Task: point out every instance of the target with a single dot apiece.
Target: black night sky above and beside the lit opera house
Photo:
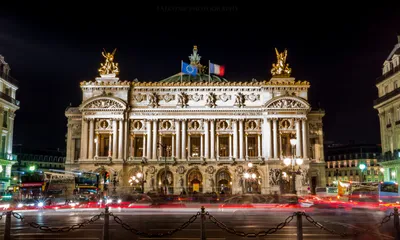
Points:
(53, 46)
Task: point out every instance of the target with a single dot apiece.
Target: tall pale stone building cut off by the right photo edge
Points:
(388, 106)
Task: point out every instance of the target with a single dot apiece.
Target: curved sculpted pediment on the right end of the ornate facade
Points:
(287, 103)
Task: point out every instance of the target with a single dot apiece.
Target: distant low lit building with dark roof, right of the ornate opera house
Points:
(343, 163)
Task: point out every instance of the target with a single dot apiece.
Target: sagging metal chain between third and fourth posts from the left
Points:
(243, 234)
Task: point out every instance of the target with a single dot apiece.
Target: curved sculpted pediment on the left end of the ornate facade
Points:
(104, 103)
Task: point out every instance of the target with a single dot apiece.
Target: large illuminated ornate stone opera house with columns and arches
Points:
(196, 132)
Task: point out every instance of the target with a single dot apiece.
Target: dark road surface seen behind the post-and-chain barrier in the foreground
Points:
(163, 220)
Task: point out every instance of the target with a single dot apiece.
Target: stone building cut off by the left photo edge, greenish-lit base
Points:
(8, 106)
